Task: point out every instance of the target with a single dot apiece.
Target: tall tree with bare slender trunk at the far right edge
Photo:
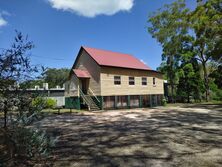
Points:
(205, 24)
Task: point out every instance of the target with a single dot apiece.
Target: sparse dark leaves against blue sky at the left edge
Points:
(15, 63)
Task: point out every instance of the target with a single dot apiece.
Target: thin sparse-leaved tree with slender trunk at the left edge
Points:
(15, 67)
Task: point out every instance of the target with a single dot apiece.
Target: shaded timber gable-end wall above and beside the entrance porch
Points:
(85, 62)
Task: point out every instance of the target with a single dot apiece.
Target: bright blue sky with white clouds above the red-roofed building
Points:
(58, 28)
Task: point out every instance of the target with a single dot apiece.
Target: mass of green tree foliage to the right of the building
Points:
(189, 38)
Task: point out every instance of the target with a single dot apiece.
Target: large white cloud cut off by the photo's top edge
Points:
(92, 8)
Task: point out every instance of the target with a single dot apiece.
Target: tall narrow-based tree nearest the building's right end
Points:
(169, 27)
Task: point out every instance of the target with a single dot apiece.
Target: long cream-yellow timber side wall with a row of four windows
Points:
(108, 88)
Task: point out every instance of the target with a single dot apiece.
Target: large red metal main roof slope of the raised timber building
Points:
(114, 59)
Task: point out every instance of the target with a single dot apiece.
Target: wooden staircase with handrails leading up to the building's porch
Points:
(88, 100)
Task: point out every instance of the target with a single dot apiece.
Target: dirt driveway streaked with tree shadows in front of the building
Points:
(165, 136)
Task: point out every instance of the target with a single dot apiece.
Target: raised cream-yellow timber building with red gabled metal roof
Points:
(101, 79)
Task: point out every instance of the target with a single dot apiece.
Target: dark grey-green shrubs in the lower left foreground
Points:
(21, 141)
